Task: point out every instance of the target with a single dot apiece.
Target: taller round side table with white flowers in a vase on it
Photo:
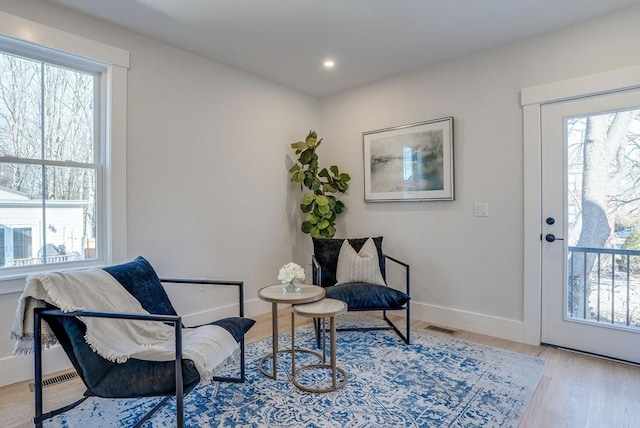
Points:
(274, 294)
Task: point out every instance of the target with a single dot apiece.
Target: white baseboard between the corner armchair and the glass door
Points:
(469, 321)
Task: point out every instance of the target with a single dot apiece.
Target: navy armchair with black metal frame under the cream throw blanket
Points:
(134, 378)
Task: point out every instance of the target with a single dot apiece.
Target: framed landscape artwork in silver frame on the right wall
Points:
(409, 163)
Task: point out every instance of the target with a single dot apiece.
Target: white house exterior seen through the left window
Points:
(22, 223)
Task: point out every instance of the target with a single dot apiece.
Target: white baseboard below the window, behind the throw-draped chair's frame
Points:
(18, 368)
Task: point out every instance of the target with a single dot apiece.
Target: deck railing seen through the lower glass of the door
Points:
(611, 292)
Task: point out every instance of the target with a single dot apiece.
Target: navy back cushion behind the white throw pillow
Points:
(327, 250)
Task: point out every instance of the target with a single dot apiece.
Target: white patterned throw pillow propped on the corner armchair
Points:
(359, 267)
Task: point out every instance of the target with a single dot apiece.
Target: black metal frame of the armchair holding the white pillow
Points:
(317, 280)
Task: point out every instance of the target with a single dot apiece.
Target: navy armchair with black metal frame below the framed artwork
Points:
(360, 296)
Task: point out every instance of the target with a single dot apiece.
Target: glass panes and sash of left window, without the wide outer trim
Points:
(50, 157)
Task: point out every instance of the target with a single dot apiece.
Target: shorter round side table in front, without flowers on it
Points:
(325, 308)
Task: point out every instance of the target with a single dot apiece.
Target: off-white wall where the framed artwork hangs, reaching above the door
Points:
(467, 272)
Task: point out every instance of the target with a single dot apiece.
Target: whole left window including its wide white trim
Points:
(62, 149)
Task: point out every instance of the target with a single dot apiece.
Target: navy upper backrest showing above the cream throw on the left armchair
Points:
(139, 278)
